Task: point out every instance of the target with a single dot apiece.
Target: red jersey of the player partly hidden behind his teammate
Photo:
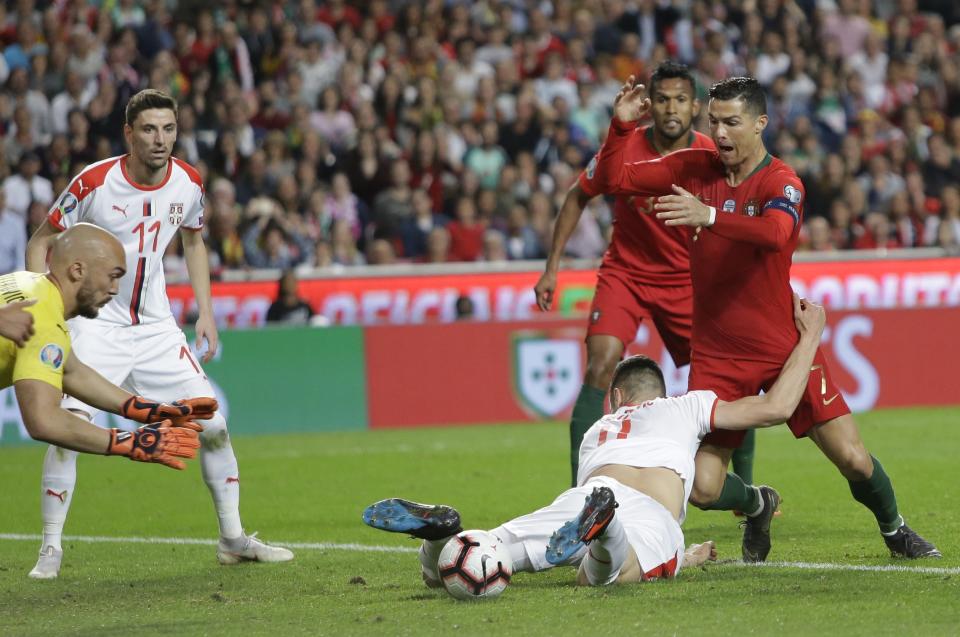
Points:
(641, 245)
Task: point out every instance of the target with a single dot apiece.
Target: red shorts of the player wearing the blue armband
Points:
(731, 379)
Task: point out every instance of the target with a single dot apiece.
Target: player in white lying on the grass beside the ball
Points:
(635, 474)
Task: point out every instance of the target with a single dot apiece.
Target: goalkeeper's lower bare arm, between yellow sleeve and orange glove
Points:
(46, 421)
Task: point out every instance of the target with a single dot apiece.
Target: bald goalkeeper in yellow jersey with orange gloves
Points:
(86, 264)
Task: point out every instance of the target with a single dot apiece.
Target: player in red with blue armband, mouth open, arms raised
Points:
(744, 209)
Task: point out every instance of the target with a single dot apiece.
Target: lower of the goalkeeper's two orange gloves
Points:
(162, 443)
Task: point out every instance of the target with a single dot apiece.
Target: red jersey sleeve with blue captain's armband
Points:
(782, 194)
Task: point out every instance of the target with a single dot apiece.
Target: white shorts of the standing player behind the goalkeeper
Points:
(152, 360)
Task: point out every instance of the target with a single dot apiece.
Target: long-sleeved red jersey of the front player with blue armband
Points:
(740, 266)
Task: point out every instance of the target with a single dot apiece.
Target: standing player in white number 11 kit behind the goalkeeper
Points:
(145, 198)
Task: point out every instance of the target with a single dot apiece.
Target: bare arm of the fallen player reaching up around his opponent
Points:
(779, 403)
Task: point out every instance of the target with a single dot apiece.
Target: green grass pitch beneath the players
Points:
(312, 488)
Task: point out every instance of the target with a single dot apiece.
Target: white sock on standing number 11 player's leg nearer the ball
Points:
(219, 467)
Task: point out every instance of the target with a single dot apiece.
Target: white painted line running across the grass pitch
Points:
(374, 548)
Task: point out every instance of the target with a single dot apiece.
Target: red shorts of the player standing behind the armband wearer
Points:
(620, 304)
